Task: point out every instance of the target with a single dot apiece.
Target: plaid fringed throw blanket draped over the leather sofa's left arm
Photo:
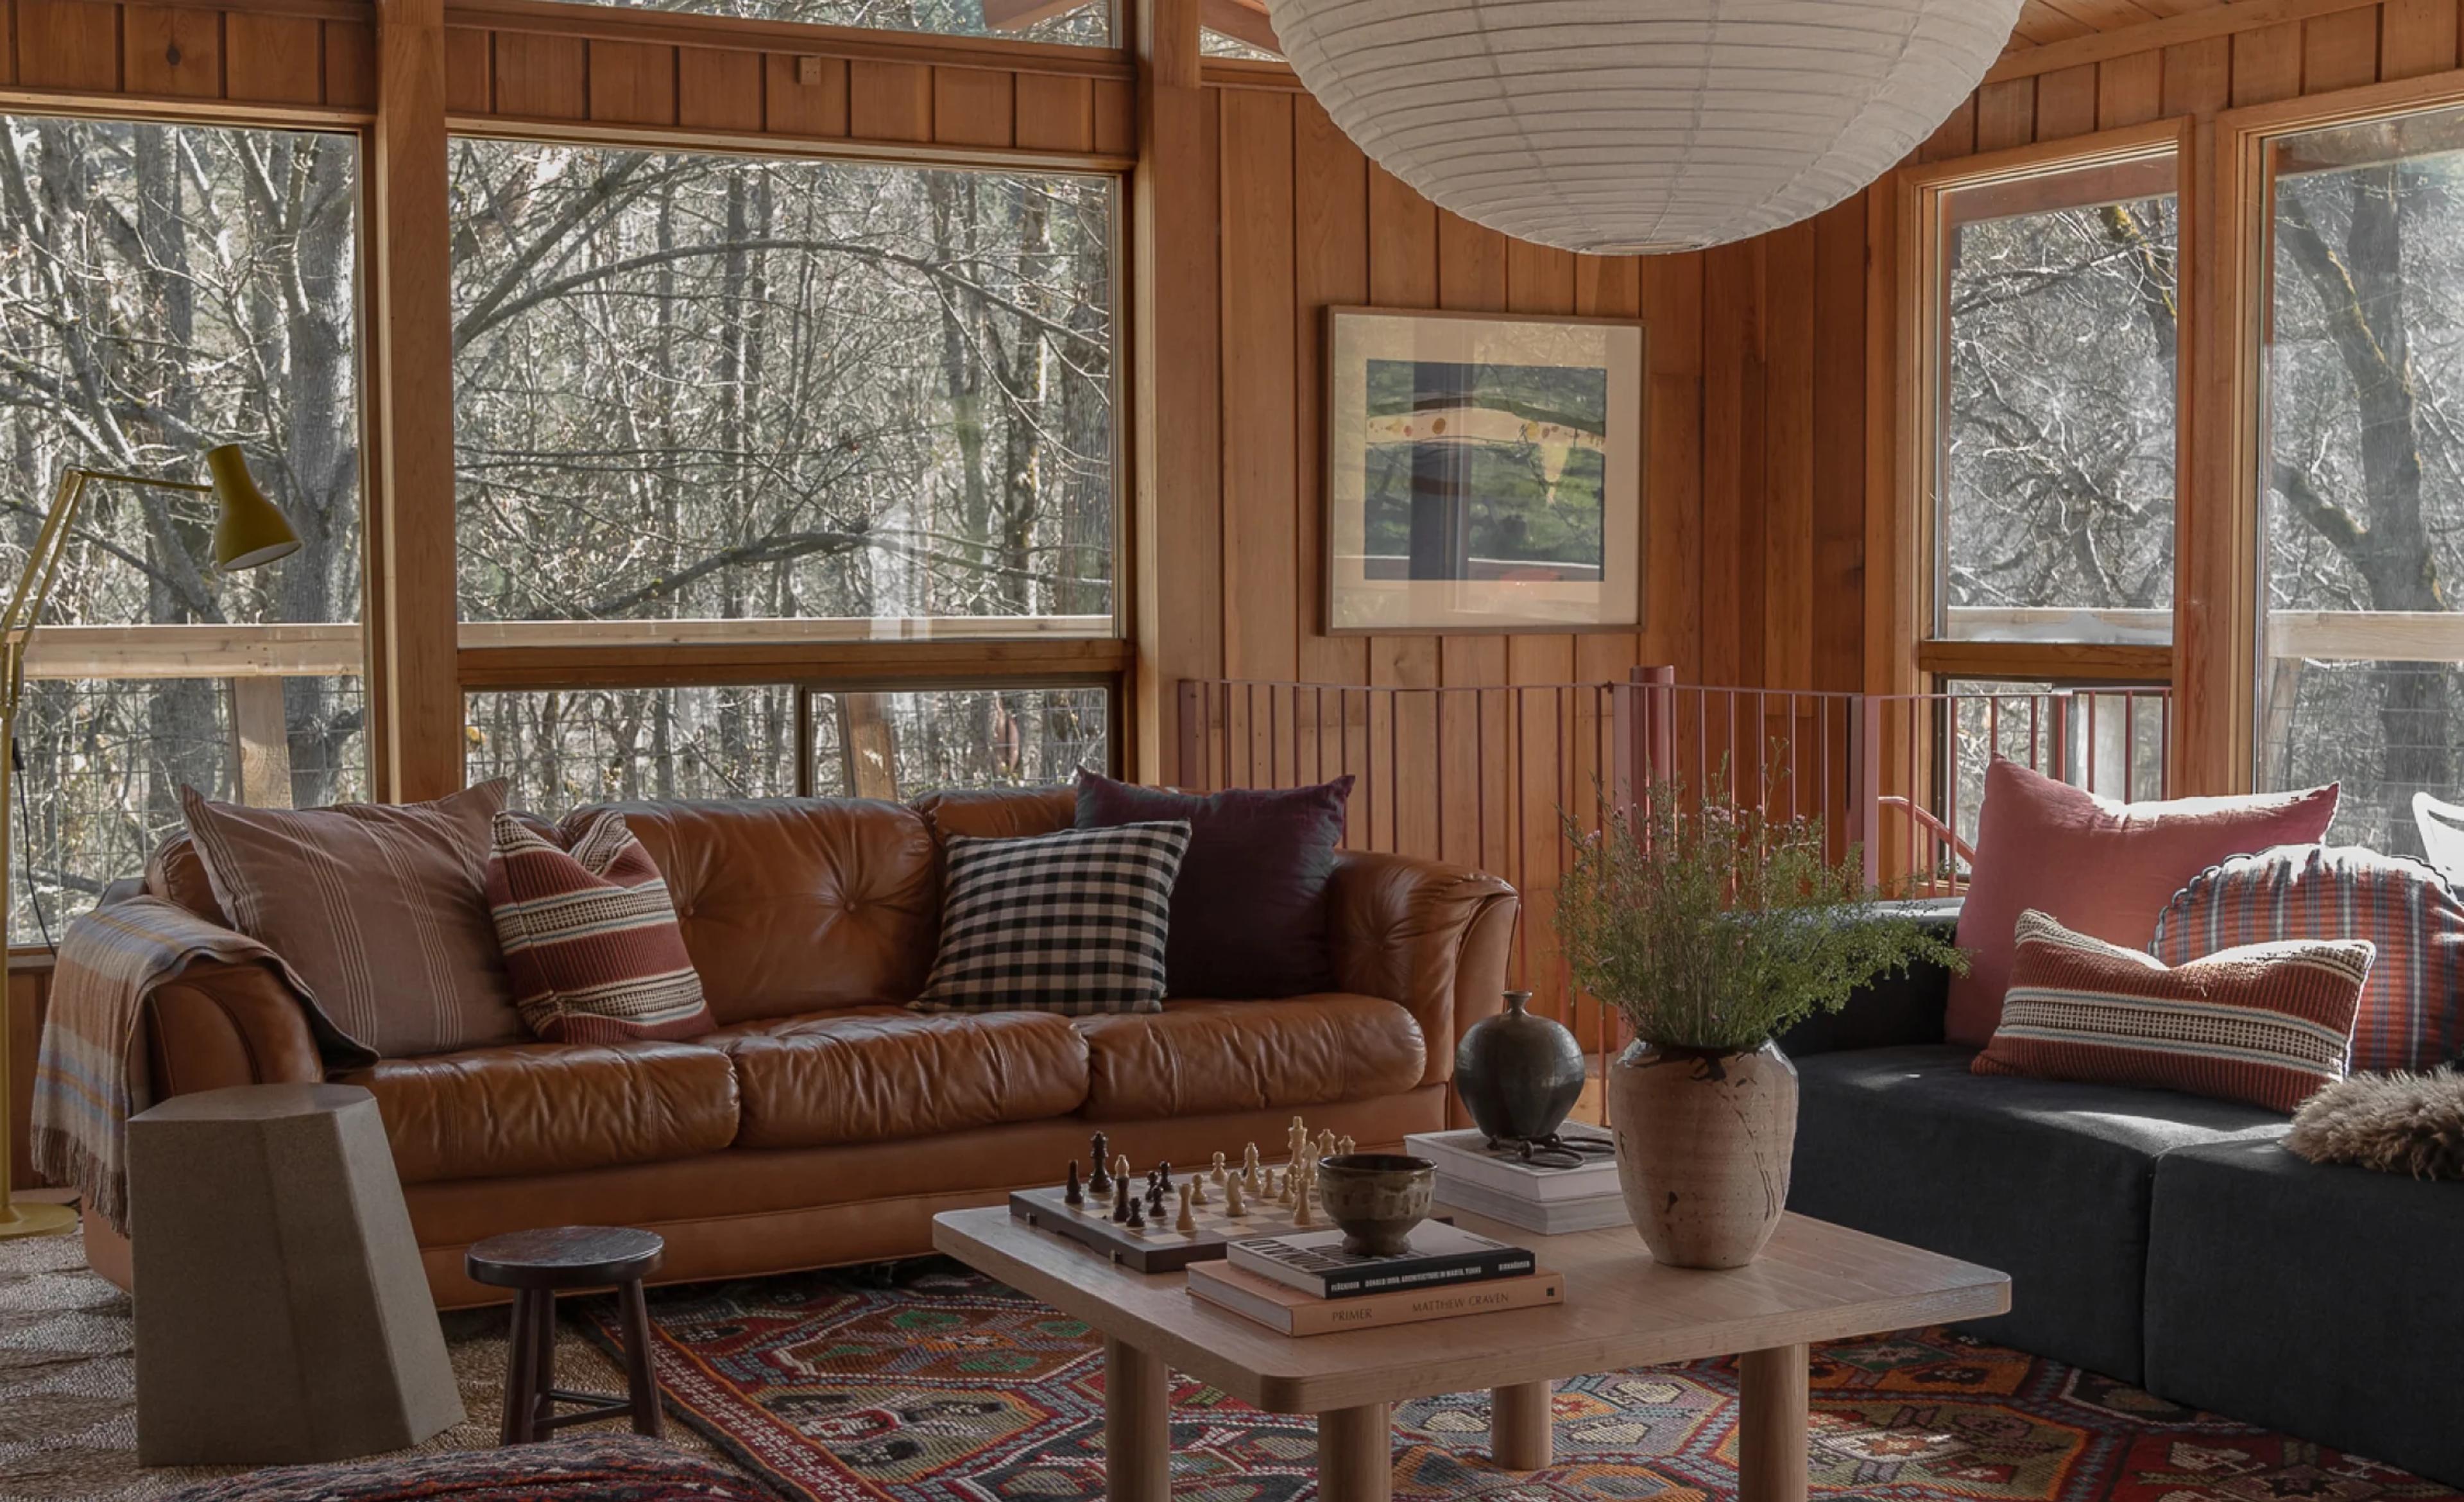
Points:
(85, 1086)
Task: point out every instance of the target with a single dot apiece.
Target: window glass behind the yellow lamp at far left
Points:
(166, 290)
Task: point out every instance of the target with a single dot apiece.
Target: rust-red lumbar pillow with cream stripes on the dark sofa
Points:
(2268, 1025)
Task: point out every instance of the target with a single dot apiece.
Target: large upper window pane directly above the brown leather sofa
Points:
(711, 388)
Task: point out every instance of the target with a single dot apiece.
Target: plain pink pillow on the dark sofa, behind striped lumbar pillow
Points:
(2098, 867)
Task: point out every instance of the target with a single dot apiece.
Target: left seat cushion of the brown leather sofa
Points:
(543, 1109)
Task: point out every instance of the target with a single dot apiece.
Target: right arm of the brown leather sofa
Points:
(1428, 936)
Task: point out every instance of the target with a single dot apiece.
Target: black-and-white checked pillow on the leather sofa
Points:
(1056, 924)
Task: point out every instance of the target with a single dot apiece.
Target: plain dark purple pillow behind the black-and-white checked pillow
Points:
(1250, 904)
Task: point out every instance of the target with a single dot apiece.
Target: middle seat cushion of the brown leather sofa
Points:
(888, 1077)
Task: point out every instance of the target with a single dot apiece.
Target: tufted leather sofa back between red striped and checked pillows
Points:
(800, 904)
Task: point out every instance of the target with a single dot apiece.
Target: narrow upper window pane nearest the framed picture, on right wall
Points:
(2056, 406)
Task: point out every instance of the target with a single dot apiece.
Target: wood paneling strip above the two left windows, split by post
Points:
(533, 65)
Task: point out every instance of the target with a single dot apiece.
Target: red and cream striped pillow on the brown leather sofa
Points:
(590, 936)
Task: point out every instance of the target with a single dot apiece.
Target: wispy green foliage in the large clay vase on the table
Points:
(1711, 924)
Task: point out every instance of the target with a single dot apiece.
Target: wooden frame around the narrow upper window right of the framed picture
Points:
(1926, 226)
